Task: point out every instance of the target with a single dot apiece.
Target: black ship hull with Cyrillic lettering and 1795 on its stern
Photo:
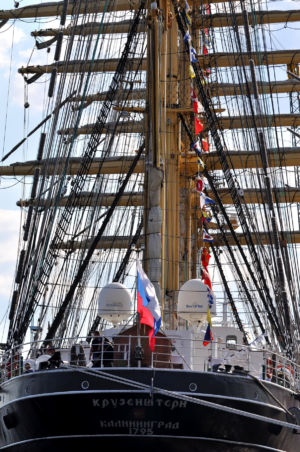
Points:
(78, 409)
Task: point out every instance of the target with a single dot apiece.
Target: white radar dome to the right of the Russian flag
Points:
(193, 300)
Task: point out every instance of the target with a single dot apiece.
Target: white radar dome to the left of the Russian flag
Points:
(114, 303)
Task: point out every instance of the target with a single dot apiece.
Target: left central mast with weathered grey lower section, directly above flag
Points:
(153, 170)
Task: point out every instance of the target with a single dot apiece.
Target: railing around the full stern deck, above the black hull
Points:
(170, 352)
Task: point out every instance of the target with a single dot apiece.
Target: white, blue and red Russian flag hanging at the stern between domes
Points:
(147, 304)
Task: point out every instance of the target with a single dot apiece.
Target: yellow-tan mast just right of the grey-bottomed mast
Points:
(171, 160)
